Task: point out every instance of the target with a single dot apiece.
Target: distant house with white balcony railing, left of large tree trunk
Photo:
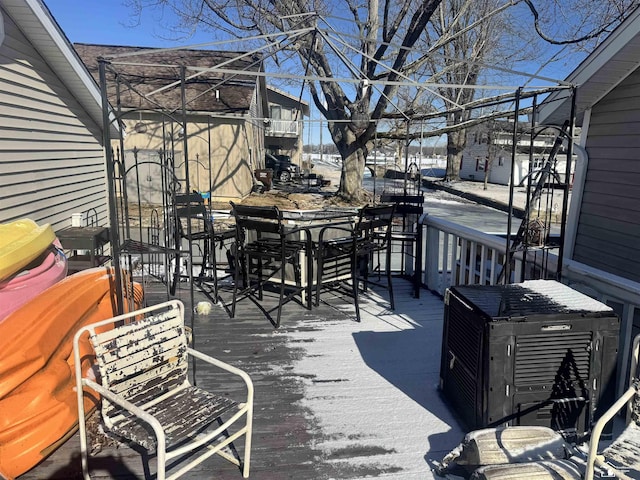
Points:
(284, 132)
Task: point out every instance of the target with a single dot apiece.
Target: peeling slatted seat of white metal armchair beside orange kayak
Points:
(182, 415)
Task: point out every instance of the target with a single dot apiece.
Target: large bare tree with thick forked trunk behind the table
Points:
(374, 46)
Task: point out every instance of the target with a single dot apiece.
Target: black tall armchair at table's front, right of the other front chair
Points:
(347, 253)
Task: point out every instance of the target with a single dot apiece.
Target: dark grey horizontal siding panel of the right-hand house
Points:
(610, 214)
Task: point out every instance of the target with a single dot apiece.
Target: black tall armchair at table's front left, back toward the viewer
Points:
(265, 246)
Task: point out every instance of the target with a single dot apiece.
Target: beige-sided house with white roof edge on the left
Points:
(51, 133)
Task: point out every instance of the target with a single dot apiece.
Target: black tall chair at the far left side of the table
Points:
(194, 224)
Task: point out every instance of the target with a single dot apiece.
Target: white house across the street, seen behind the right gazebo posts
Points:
(489, 152)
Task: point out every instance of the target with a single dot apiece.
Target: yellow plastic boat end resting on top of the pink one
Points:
(21, 242)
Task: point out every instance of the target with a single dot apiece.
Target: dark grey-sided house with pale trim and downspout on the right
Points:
(603, 230)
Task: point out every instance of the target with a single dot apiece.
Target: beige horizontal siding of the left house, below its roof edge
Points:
(51, 158)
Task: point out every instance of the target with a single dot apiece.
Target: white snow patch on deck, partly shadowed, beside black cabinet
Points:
(375, 400)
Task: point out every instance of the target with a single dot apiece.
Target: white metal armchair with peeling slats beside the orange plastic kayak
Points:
(147, 399)
